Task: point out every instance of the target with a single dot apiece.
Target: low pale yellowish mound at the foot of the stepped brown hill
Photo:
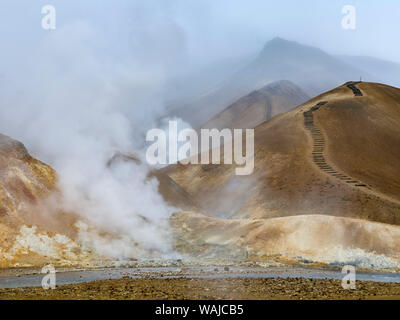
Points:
(314, 240)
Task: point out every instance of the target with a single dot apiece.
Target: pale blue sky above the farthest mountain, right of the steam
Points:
(227, 26)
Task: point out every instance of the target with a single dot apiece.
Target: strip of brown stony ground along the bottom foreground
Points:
(233, 288)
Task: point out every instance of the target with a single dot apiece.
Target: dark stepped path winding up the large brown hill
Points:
(319, 142)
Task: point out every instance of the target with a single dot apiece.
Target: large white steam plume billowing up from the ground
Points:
(76, 105)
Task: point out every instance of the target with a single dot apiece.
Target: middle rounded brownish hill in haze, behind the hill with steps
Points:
(259, 106)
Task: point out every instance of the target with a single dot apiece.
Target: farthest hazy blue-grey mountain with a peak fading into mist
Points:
(312, 69)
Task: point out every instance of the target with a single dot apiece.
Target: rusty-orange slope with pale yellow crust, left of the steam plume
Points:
(28, 234)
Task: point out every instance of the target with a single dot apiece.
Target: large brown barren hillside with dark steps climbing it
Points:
(300, 171)
